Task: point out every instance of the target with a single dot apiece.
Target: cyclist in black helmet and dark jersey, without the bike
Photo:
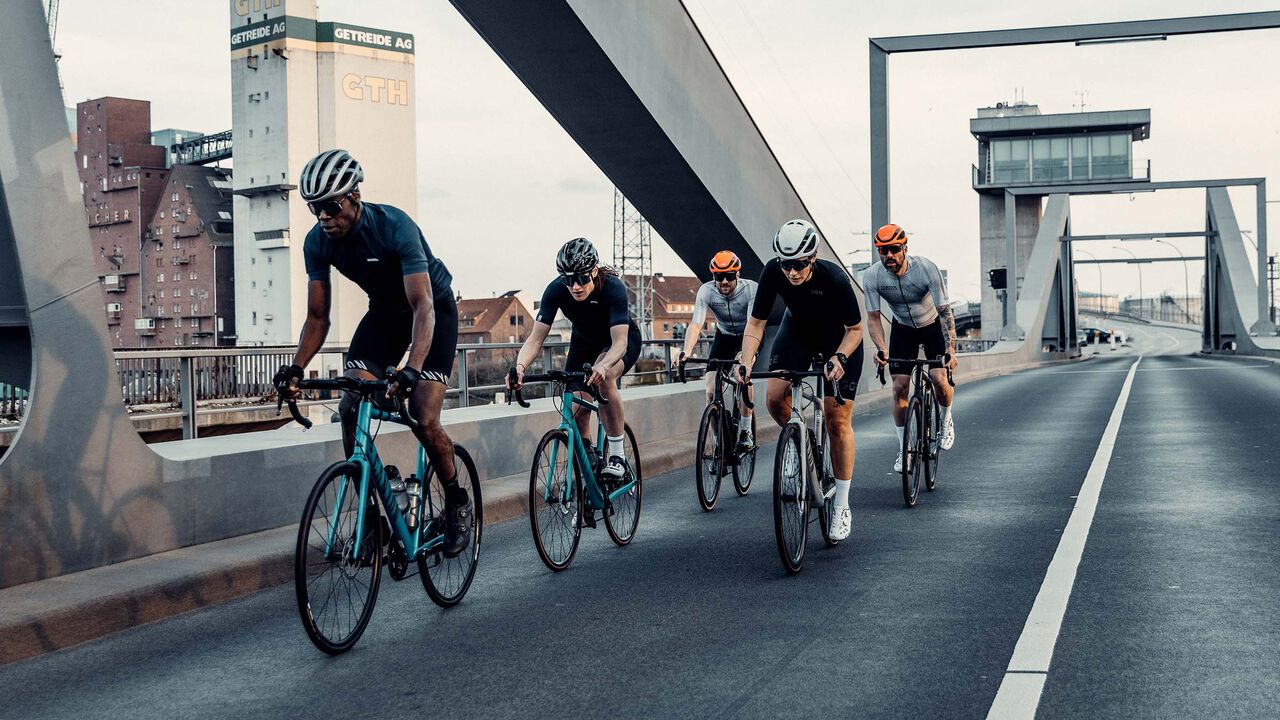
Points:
(605, 336)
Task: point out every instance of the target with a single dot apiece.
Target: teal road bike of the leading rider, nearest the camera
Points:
(362, 516)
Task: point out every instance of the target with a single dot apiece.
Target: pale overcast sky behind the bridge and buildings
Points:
(496, 168)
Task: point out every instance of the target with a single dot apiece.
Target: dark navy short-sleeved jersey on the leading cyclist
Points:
(382, 248)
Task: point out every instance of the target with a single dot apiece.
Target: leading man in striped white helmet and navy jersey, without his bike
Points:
(412, 308)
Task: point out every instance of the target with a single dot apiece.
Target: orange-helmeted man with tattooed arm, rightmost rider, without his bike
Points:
(912, 288)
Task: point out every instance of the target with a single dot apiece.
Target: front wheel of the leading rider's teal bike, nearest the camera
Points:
(336, 584)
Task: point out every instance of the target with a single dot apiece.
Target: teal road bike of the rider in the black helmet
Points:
(566, 490)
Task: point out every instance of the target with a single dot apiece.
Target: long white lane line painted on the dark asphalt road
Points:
(1020, 692)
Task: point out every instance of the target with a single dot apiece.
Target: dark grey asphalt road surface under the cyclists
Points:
(917, 616)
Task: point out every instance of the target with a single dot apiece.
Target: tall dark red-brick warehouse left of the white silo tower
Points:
(130, 202)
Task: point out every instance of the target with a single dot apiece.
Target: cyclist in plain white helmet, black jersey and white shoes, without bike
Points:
(822, 320)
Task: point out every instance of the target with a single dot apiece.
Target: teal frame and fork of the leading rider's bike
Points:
(372, 470)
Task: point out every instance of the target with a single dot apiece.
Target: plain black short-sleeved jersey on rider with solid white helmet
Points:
(821, 306)
